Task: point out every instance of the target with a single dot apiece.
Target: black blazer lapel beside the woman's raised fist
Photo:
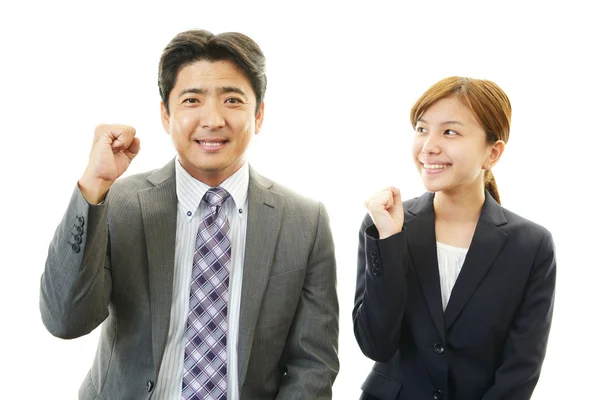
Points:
(420, 231)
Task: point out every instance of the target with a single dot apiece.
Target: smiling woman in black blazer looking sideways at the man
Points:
(454, 293)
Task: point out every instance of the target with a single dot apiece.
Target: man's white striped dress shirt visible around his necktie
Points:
(190, 211)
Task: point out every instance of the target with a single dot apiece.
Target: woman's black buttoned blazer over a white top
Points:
(489, 343)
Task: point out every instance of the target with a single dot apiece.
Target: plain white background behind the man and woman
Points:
(341, 80)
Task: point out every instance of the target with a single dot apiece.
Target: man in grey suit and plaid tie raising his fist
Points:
(212, 281)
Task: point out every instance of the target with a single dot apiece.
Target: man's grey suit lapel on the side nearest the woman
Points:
(265, 209)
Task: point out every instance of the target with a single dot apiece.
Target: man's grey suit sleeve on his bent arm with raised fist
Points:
(76, 282)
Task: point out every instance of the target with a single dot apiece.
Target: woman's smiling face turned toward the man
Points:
(450, 148)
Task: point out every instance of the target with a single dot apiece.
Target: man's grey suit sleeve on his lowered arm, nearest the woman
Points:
(312, 342)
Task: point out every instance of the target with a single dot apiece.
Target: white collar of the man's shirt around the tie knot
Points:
(190, 191)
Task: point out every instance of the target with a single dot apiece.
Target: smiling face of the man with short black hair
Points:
(211, 119)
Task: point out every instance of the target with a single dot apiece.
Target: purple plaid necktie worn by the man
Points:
(205, 362)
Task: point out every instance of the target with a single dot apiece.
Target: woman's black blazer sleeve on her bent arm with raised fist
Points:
(380, 297)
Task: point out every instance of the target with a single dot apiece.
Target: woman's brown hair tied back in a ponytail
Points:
(487, 101)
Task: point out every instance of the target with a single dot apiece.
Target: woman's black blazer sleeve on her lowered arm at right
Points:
(525, 346)
